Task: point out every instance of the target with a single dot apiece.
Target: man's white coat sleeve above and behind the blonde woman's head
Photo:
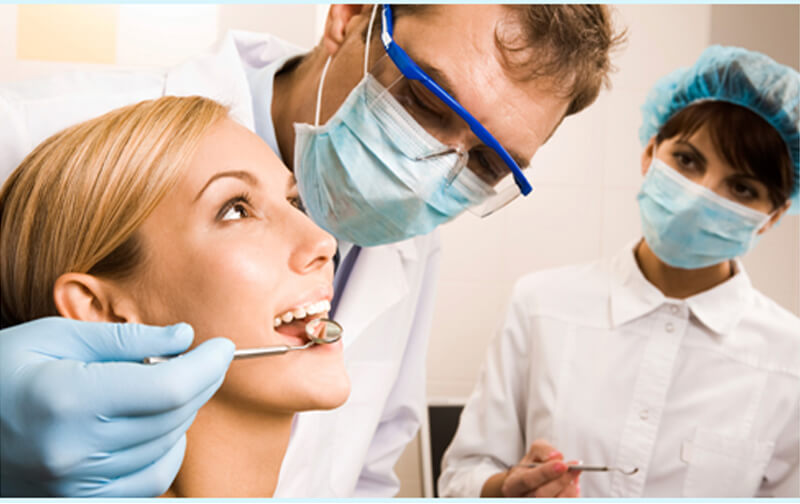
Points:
(33, 110)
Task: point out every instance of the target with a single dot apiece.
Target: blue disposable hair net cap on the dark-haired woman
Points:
(732, 74)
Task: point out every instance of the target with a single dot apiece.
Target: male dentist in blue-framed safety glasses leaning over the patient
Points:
(393, 125)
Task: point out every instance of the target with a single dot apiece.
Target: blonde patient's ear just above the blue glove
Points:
(85, 297)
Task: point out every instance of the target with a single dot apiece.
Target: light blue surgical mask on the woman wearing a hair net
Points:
(689, 226)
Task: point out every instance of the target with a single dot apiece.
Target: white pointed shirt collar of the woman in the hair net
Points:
(632, 295)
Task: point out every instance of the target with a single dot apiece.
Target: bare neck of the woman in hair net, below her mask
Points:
(679, 283)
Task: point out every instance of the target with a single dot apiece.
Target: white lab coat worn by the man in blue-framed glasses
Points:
(385, 308)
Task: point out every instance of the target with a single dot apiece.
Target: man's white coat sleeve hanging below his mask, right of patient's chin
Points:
(405, 407)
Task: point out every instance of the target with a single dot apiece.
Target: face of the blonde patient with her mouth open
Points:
(228, 251)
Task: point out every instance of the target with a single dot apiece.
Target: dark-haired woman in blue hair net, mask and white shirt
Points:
(665, 358)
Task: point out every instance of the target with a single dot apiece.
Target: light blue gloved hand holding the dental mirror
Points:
(78, 421)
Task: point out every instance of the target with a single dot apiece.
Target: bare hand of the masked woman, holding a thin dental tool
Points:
(549, 479)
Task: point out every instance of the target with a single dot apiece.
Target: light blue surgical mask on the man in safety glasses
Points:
(369, 176)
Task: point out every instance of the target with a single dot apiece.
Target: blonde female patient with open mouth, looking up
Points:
(169, 211)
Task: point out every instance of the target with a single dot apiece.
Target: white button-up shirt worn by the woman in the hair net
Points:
(701, 394)
